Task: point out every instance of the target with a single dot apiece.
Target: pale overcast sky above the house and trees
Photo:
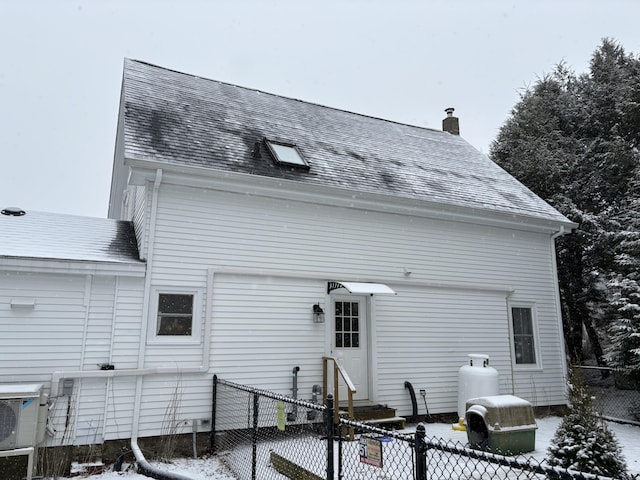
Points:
(61, 68)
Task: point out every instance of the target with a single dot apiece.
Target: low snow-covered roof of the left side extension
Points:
(41, 235)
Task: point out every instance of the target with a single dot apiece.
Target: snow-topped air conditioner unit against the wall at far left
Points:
(22, 415)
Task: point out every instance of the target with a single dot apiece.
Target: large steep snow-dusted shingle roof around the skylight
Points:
(182, 119)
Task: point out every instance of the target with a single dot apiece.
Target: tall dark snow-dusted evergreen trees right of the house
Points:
(574, 140)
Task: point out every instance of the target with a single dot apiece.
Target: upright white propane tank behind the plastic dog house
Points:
(477, 379)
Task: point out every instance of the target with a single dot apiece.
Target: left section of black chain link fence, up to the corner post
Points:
(263, 435)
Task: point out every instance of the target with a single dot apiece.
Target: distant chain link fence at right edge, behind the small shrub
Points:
(615, 397)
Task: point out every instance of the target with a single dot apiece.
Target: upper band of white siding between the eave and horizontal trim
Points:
(243, 231)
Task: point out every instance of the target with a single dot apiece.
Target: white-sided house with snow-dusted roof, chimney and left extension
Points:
(234, 214)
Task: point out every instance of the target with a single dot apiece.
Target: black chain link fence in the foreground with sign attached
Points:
(264, 435)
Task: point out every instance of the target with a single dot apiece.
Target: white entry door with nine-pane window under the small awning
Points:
(350, 342)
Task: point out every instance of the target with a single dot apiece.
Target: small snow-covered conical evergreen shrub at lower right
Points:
(583, 441)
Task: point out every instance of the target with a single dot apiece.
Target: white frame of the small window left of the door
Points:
(196, 327)
